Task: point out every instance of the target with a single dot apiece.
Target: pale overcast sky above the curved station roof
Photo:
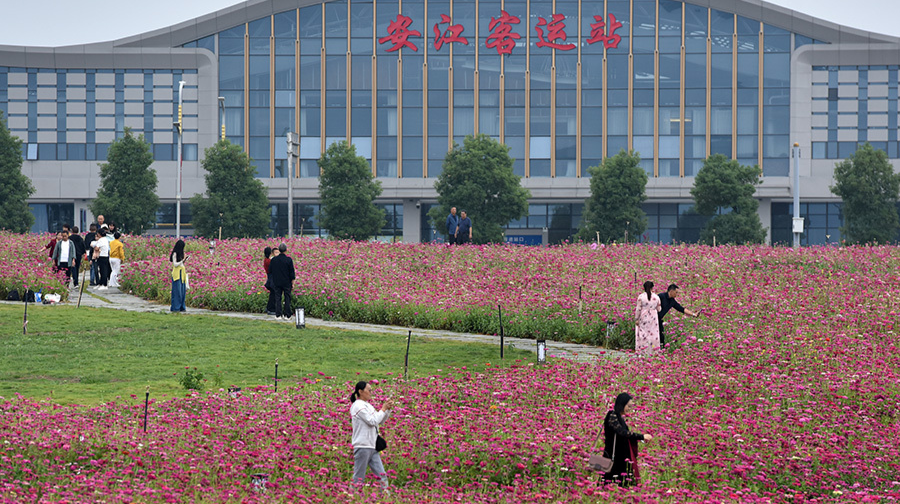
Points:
(68, 22)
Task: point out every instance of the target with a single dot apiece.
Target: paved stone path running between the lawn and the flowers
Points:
(116, 299)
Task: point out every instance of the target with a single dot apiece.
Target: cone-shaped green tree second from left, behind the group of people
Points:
(127, 194)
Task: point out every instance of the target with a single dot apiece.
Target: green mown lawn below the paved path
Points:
(88, 356)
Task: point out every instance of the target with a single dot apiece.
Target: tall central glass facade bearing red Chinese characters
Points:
(562, 83)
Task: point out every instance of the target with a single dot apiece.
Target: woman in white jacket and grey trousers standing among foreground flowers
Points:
(365, 432)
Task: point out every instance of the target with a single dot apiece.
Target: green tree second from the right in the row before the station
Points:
(725, 184)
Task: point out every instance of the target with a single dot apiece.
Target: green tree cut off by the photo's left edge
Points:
(15, 187)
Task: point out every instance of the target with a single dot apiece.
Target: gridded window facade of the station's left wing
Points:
(73, 115)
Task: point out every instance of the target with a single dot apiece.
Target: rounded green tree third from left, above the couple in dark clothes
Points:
(235, 198)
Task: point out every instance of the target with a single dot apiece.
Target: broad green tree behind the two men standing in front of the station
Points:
(478, 177)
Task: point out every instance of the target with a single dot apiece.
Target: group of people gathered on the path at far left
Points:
(102, 246)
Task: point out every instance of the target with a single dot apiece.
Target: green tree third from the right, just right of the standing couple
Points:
(618, 187)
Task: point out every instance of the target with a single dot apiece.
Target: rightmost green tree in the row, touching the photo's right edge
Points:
(867, 184)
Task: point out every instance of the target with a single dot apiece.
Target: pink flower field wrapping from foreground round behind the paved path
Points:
(786, 390)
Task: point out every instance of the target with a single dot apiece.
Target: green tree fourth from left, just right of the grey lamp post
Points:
(348, 191)
